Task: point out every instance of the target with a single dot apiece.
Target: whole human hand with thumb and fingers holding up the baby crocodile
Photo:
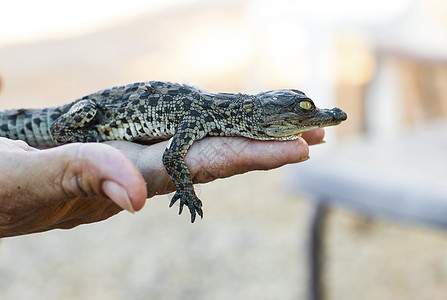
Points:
(74, 184)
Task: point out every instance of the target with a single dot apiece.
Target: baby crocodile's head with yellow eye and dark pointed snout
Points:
(288, 113)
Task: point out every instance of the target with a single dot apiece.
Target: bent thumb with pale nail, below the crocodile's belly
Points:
(82, 170)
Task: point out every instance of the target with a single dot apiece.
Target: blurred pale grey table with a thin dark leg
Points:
(402, 179)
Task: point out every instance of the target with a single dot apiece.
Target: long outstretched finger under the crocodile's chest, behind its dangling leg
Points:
(212, 158)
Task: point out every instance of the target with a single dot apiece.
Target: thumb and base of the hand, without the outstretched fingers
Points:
(64, 186)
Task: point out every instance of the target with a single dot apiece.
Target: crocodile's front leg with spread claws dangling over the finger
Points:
(173, 160)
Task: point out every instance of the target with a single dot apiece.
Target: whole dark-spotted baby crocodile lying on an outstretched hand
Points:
(152, 111)
